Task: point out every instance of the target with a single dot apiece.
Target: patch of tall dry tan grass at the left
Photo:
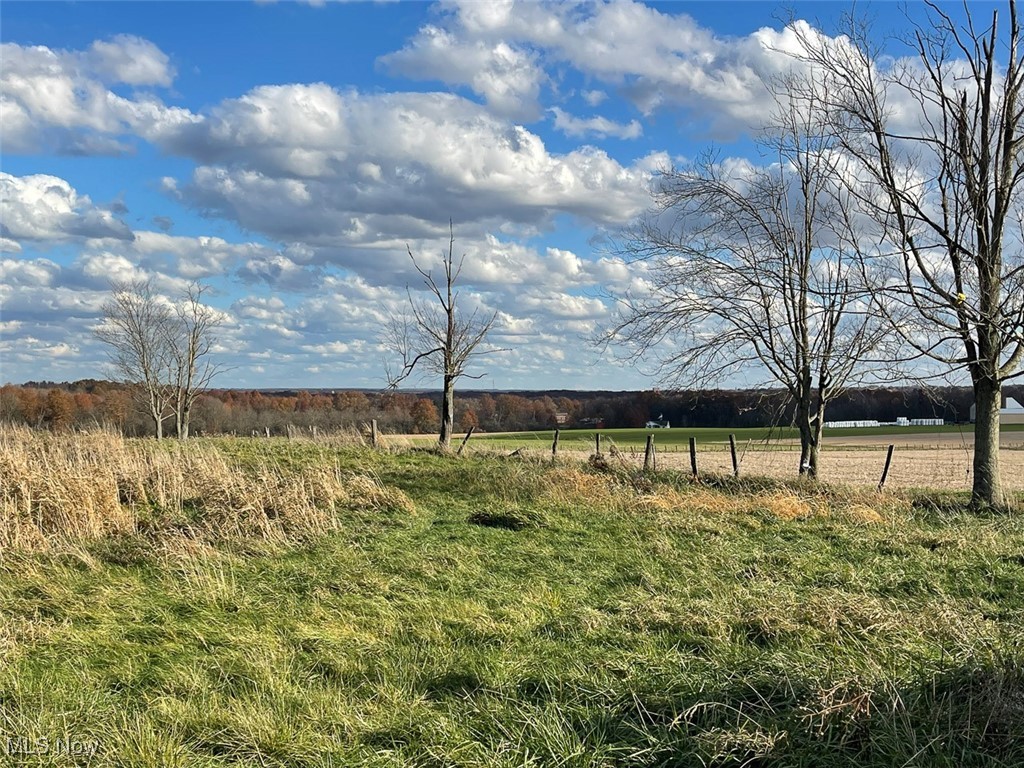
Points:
(77, 488)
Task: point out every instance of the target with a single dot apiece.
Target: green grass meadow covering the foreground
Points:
(533, 617)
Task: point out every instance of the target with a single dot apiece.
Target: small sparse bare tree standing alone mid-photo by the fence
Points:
(437, 337)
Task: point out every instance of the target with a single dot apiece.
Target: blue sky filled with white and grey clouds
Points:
(288, 155)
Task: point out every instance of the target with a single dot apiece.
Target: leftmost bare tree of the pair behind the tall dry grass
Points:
(139, 330)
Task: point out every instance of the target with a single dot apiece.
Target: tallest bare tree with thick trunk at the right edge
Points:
(936, 146)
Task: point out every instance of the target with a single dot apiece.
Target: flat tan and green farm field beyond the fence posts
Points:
(924, 457)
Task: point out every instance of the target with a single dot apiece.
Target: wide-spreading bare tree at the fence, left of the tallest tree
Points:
(750, 268)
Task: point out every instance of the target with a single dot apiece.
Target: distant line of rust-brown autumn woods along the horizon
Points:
(91, 403)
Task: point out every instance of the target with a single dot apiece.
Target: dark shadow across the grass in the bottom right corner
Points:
(964, 716)
